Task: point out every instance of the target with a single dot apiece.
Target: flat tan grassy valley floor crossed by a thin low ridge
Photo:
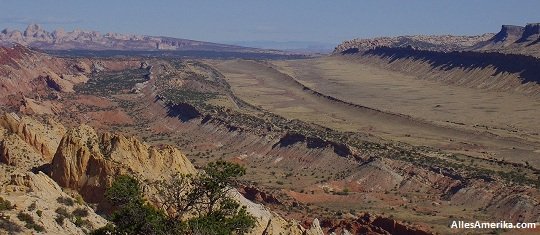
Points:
(394, 106)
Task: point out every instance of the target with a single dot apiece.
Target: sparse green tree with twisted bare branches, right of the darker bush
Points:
(205, 199)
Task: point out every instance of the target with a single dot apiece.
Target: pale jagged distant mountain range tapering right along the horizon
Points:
(35, 36)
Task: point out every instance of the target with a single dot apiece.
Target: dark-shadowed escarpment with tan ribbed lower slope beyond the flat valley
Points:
(474, 69)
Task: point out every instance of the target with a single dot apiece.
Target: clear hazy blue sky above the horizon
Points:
(287, 20)
